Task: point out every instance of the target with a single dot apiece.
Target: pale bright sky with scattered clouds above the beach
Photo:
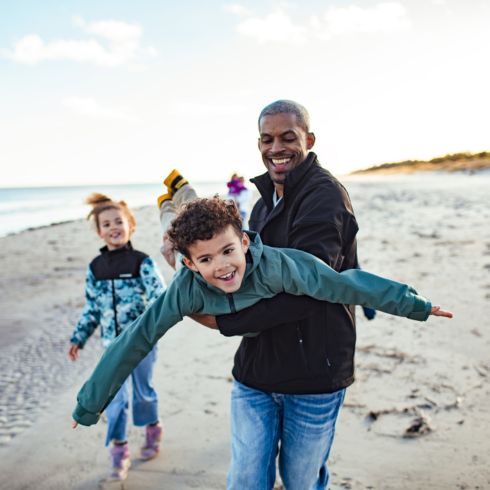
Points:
(123, 92)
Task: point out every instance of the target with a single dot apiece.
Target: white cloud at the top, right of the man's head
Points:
(383, 17)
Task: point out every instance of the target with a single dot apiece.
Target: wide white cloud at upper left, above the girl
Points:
(121, 46)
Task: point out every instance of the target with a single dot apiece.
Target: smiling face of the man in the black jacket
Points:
(283, 144)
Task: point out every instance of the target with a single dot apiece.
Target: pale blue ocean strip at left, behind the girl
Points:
(32, 207)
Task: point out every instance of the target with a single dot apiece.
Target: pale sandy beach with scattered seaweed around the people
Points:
(416, 418)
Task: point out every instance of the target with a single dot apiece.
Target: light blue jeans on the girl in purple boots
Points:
(145, 401)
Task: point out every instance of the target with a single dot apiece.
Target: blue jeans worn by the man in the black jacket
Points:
(298, 428)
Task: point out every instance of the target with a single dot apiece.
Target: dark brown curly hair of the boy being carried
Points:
(202, 219)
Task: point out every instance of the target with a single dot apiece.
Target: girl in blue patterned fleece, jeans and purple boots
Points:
(120, 283)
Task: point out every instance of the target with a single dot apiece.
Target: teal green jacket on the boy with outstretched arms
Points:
(269, 271)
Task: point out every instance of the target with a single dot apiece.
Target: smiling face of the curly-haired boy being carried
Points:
(221, 260)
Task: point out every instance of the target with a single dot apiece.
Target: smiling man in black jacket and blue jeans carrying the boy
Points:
(290, 380)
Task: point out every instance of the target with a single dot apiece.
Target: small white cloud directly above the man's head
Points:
(275, 27)
